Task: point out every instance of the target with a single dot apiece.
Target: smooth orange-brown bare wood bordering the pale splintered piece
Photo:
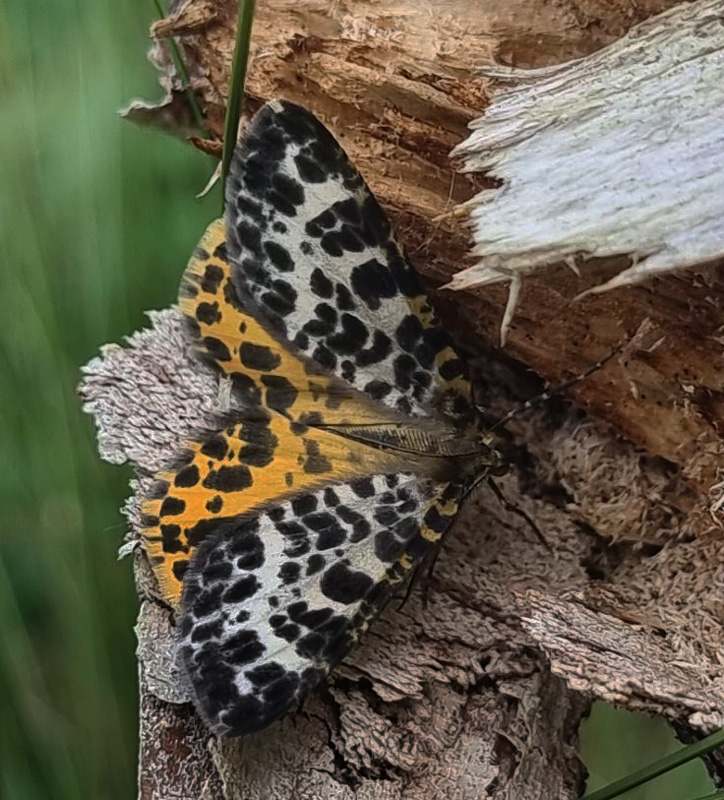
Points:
(397, 85)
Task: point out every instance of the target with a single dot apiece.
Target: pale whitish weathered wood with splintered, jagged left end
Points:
(620, 153)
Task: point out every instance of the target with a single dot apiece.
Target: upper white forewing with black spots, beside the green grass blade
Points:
(313, 256)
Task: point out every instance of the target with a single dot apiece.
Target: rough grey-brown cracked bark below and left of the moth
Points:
(449, 691)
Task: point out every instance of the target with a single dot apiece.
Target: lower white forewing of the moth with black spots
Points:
(273, 600)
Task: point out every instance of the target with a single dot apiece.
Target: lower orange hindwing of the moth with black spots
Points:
(254, 462)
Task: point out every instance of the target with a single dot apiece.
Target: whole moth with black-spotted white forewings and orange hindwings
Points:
(279, 536)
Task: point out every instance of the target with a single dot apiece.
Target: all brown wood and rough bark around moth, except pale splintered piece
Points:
(476, 686)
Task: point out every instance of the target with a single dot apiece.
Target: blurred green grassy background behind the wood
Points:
(97, 219)
